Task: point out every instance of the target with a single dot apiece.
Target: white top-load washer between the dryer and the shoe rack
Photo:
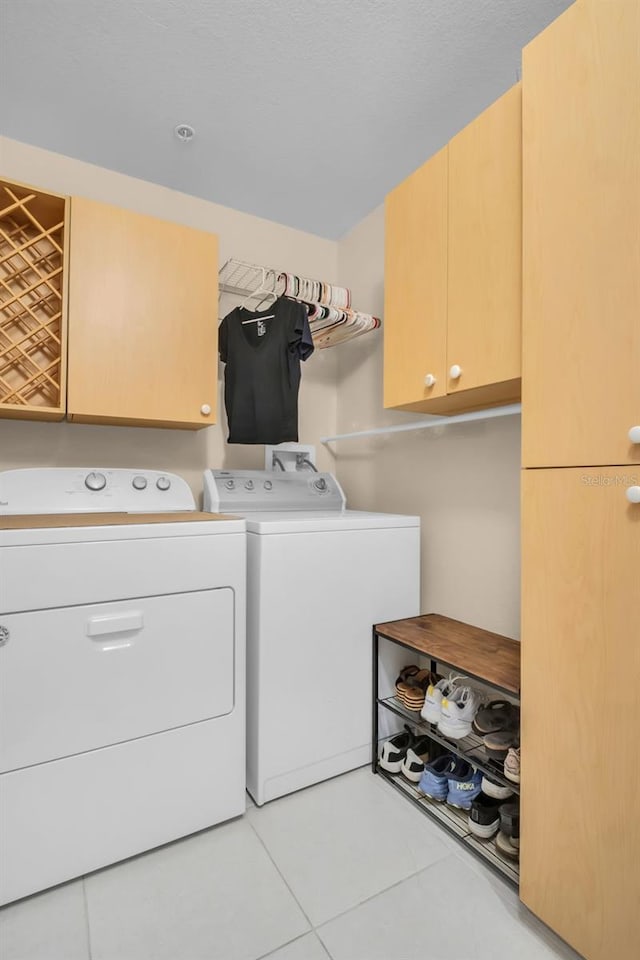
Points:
(319, 576)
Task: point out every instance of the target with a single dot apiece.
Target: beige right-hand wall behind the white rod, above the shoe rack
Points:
(463, 480)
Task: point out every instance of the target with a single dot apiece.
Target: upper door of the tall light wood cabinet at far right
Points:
(581, 306)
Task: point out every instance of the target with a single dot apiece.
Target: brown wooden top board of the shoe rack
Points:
(478, 653)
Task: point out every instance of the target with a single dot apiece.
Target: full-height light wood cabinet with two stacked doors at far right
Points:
(580, 840)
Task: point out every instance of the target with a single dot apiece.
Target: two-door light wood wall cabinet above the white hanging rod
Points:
(453, 233)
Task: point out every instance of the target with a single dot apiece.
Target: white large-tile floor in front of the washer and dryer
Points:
(344, 870)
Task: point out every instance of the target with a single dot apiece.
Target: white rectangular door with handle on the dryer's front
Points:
(78, 678)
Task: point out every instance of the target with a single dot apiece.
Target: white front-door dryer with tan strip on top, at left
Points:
(122, 662)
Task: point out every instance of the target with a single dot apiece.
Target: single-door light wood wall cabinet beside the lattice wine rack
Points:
(142, 319)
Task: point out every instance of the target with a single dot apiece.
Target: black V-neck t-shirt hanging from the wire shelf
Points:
(262, 373)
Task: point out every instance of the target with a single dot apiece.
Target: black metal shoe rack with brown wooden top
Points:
(487, 657)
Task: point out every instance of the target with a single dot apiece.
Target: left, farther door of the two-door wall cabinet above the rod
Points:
(415, 285)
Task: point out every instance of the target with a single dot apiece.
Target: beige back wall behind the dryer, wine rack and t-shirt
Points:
(249, 238)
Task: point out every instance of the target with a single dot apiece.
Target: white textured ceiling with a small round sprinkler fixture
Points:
(306, 111)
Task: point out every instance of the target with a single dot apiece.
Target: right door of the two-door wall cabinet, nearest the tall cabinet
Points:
(485, 248)
